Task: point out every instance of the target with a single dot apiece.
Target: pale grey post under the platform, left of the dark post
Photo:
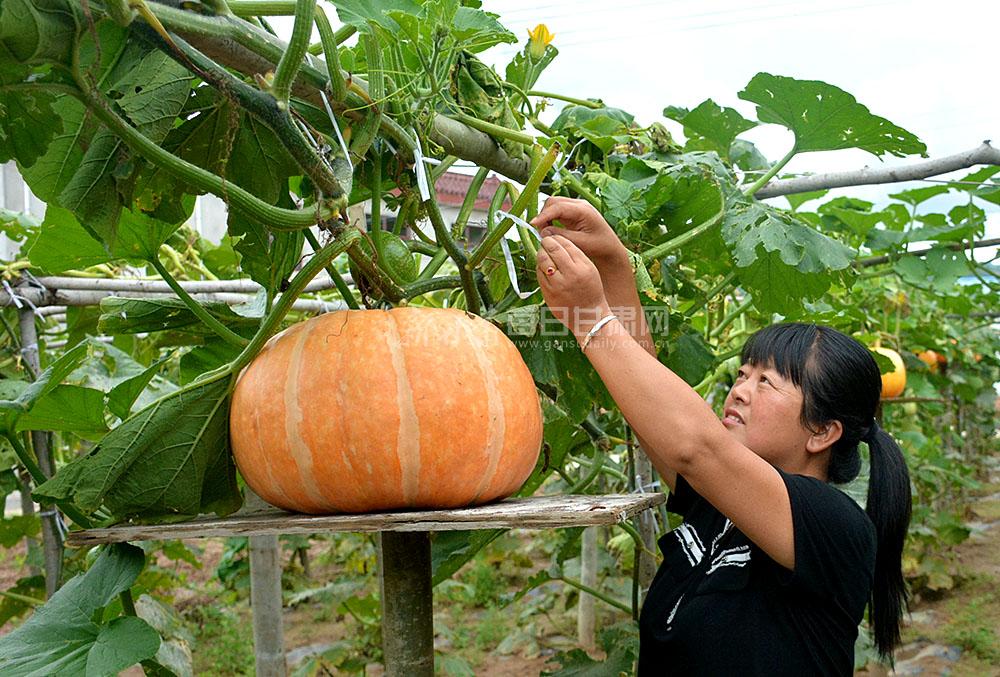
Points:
(265, 600)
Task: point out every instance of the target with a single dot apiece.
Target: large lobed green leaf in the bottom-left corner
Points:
(62, 638)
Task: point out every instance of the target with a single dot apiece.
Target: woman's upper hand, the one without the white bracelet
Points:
(586, 228)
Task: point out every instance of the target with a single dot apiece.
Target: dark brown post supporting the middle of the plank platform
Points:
(407, 603)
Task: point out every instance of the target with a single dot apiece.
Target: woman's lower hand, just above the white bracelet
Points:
(570, 284)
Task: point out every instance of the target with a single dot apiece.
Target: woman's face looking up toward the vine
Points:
(762, 411)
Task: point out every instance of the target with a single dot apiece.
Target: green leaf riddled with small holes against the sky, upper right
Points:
(824, 117)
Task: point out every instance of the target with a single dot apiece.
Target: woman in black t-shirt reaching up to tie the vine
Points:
(772, 569)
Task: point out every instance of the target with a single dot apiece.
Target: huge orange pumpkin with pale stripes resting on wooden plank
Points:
(366, 410)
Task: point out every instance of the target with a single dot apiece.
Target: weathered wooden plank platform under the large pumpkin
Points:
(536, 512)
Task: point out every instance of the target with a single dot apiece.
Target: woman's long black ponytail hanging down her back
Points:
(888, 507)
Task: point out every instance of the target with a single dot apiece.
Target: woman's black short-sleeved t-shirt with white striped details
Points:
(720, 606)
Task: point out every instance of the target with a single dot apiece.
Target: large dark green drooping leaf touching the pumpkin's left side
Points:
(170, 459)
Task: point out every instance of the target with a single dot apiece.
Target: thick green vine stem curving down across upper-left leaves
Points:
(277, 218)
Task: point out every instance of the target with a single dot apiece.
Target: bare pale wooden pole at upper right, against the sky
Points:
(984, 154)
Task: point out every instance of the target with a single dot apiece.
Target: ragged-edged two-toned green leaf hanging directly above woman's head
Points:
(781, 259)
